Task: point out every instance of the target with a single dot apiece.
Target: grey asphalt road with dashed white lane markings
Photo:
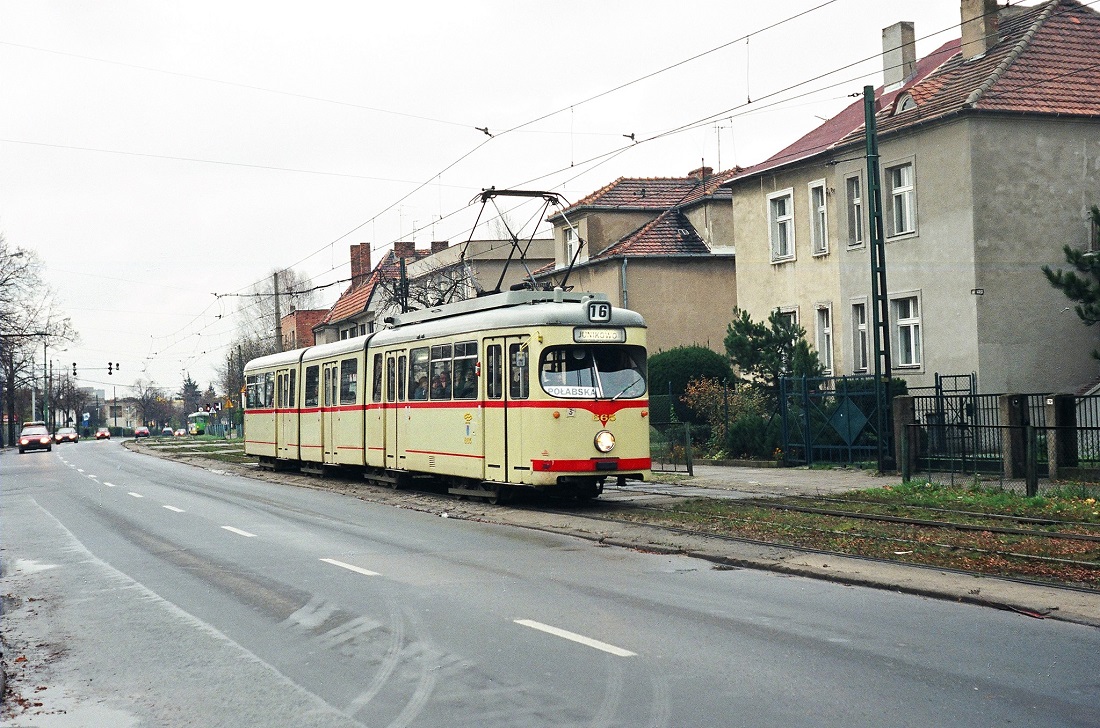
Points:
(142, 592)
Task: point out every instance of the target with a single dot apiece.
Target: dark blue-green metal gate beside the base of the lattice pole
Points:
(831, 421)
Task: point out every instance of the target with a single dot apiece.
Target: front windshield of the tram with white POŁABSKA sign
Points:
(598, 372)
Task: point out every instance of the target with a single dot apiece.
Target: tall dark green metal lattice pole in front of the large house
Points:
(881, 300)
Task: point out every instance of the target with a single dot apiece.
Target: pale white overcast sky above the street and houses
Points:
(158, 153)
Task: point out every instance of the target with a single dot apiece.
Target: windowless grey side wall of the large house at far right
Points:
(1036, 182)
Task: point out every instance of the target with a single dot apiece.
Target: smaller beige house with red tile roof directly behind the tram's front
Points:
(662, 247)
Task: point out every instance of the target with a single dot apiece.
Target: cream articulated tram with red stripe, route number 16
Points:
(525, 389)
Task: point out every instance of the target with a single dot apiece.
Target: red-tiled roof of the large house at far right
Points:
(1047, 62)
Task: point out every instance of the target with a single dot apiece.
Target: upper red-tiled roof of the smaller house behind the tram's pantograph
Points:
(652, 194)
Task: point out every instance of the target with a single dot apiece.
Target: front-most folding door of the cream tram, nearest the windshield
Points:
(508, 369)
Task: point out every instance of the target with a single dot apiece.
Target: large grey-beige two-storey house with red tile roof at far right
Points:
(989, 160)
